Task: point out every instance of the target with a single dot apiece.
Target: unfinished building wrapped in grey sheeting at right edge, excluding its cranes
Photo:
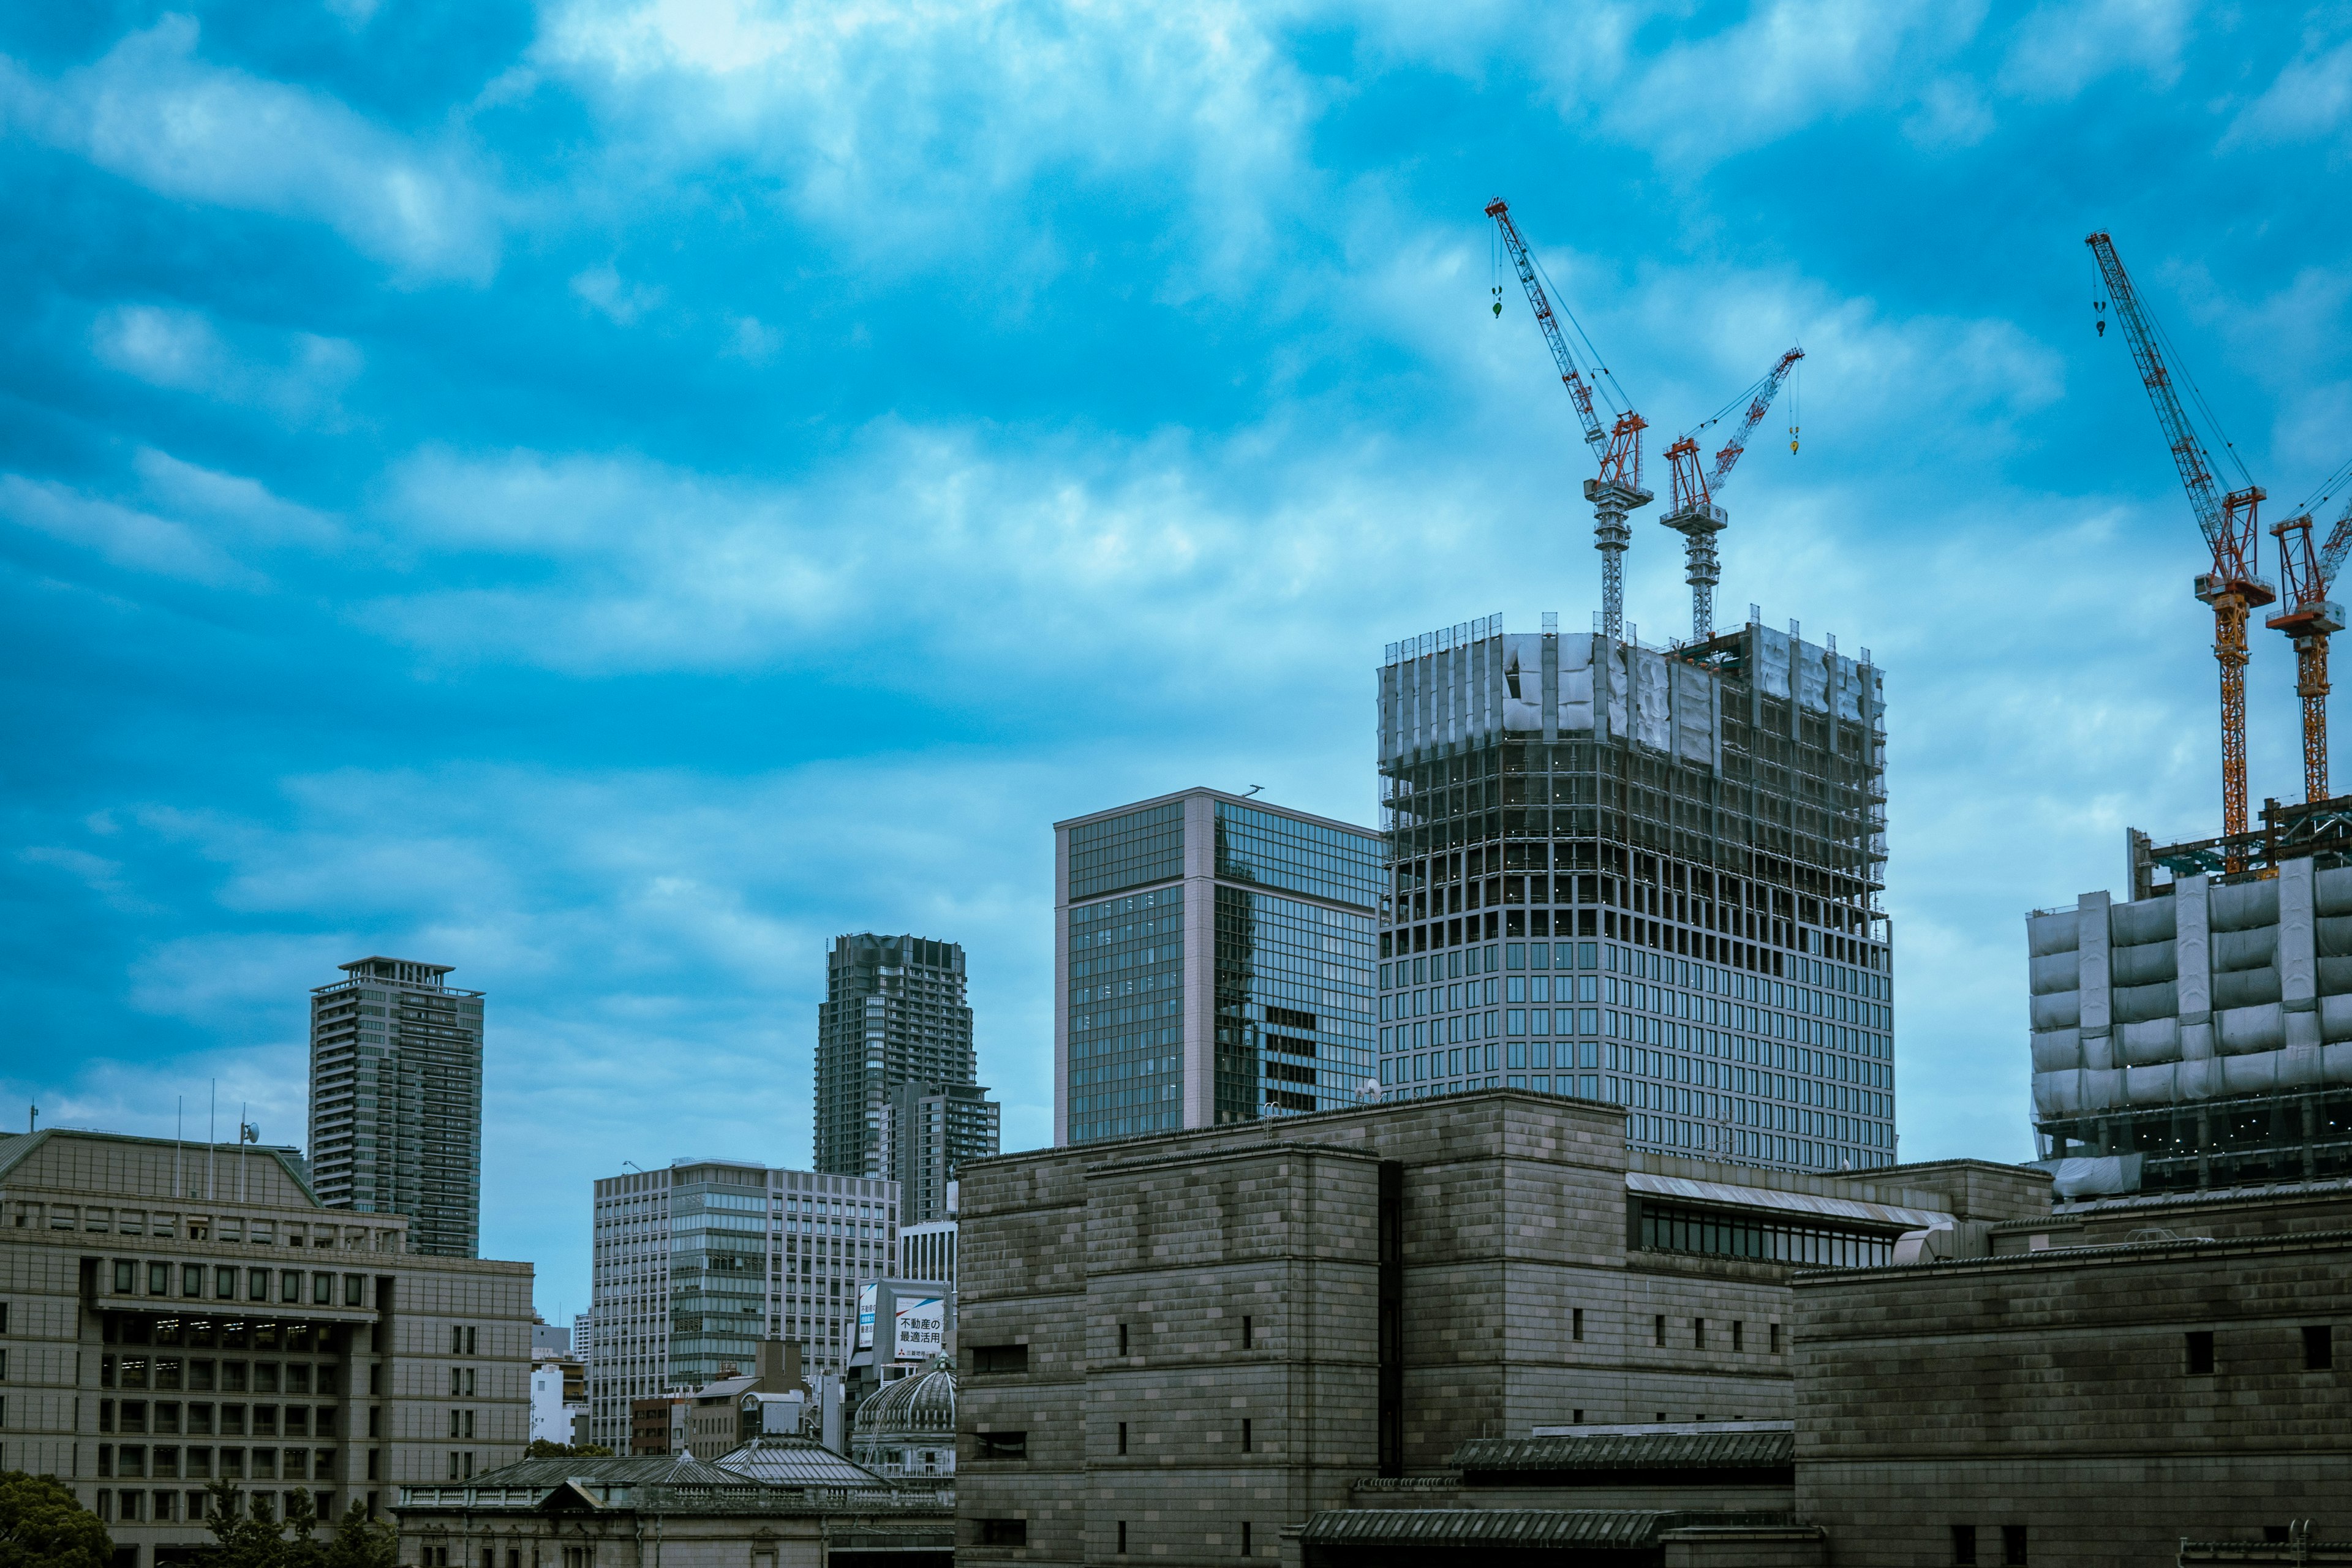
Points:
(2200, 1036)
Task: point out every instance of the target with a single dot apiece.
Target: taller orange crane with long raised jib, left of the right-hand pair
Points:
(2229, 521)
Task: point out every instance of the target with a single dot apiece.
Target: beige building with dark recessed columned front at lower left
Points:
(178, 1315)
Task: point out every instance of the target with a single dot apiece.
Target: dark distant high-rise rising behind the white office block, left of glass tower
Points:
(893, 1014)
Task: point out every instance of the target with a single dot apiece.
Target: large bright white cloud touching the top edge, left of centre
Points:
(900, 123)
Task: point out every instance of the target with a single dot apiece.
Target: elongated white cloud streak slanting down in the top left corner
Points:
(156, 114)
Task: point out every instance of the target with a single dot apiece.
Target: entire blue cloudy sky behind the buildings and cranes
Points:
(620, 492)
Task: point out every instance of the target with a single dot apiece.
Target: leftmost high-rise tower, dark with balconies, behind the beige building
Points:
(396, 1101)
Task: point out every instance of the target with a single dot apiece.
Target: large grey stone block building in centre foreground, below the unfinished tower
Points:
(1182, 1346)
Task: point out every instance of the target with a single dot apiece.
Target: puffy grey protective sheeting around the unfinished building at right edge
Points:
(2214, 991)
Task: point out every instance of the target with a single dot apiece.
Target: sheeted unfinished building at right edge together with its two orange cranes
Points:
(2198, 1033)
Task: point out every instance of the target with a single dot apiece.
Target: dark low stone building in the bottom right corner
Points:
(2090, 1388)
